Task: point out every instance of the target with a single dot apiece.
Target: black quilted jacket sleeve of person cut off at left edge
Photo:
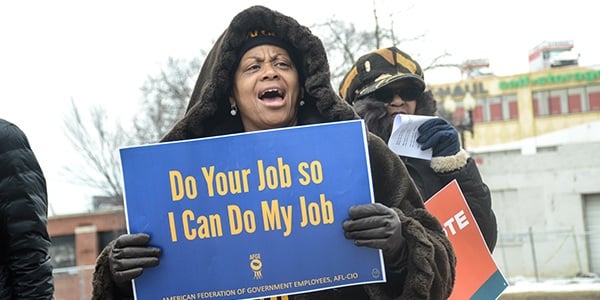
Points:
(25, 266)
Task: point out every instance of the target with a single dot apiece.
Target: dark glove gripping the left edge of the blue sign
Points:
(130, 255)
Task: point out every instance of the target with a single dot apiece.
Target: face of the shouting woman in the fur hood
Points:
(266, 88)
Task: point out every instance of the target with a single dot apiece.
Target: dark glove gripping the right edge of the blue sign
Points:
(376, 226)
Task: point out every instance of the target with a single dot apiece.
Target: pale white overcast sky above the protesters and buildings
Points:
(100, 53)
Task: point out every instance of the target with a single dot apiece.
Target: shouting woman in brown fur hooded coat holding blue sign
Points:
(267, 71)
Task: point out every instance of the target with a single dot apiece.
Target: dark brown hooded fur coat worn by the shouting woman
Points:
(428, 272)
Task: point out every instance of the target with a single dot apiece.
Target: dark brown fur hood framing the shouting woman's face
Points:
(208, 109)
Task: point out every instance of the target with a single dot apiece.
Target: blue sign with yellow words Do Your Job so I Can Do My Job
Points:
(251, 215)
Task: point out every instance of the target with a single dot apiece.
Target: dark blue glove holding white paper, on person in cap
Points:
(440, 136)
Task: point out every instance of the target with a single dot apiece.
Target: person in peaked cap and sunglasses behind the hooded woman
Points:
(387, 82)
